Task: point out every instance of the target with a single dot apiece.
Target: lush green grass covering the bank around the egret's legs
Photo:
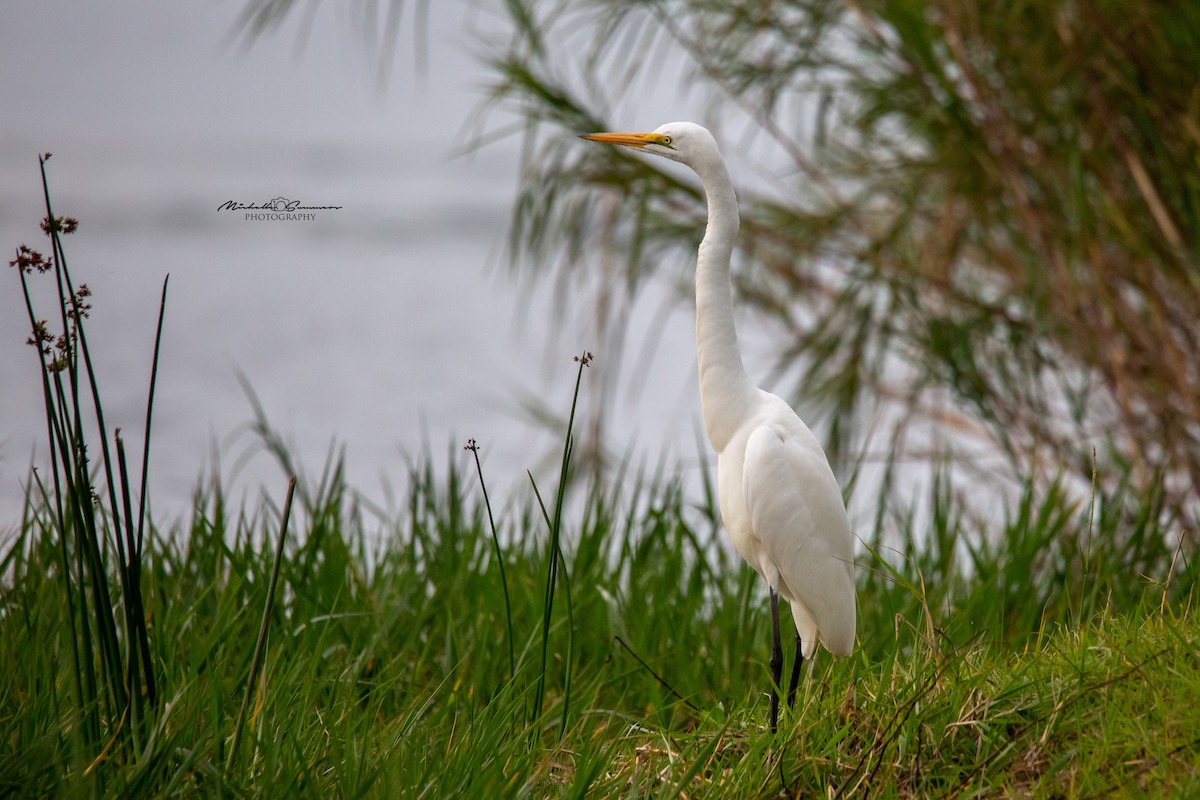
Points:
(387, 670)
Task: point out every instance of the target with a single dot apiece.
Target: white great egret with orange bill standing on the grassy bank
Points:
(778, 495)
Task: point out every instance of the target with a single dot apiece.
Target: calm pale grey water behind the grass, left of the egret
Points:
(389, 327)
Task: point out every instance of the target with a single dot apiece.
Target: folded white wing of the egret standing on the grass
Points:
(799, 516)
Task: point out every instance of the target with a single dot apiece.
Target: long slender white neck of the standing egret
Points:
(725, 388)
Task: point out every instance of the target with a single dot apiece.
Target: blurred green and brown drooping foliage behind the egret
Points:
(977, 225)
